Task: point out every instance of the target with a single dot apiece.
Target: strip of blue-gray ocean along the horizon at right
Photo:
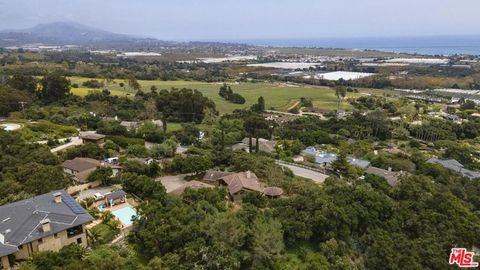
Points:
(433, 45)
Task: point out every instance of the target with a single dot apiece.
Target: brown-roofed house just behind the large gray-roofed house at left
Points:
(81, 168)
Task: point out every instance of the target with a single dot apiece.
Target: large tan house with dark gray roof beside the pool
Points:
(46, 222)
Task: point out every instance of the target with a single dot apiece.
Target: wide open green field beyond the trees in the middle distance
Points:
(276, 96)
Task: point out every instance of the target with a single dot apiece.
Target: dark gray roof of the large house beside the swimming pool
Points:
(20, 222)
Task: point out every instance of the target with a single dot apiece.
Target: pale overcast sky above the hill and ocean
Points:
(252, 19)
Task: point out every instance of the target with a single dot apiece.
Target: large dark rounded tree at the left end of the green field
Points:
(54, 87)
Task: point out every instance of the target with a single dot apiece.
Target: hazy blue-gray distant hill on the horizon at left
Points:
(65, 33)
